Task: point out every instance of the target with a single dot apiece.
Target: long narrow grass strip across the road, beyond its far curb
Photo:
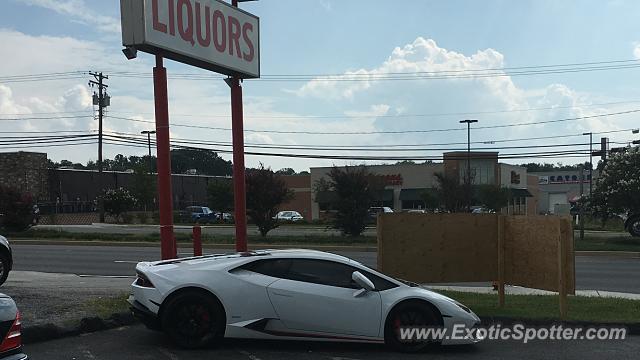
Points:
(186, 238)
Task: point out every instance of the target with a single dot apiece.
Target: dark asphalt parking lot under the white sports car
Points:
(137, 343)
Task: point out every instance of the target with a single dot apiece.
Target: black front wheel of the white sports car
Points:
(407, 315)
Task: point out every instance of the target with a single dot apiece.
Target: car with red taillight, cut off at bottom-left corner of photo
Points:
(10, 330)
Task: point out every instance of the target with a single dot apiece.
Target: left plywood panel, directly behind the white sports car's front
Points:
(432, 248)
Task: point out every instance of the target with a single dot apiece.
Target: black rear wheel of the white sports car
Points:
(194, 319)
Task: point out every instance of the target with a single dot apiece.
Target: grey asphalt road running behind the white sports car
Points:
(592, 272)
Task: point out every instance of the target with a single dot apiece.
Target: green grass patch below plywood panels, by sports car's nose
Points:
(546, 307)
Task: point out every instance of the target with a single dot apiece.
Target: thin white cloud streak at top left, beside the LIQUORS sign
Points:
(80, 12)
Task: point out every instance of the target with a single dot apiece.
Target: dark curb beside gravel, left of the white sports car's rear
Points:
(46, 332)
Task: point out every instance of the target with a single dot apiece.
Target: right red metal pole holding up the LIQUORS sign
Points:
(239, 194)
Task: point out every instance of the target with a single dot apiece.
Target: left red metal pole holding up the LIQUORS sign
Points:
(168, 243)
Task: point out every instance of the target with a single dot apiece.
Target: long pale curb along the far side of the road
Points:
(186, 245)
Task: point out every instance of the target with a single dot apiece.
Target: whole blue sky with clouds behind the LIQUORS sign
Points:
(334, 37)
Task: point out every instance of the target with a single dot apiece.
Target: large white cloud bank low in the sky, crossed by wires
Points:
(366, 106)
